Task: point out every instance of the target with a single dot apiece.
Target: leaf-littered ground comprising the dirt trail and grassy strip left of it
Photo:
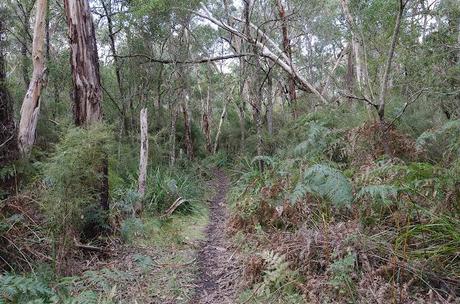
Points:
(181, 259)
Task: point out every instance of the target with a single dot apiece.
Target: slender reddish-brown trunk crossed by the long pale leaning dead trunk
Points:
(287, 48)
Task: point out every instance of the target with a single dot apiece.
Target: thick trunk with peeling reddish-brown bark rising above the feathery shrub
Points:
(84, 62)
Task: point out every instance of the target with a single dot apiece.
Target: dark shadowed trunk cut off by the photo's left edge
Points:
(8, 147)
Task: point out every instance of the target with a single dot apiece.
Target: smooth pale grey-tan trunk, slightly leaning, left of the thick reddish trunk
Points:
(31, 104)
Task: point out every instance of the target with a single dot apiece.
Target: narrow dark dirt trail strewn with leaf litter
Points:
(218, 270)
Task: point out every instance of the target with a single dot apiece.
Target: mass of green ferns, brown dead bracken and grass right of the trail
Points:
(346, 223)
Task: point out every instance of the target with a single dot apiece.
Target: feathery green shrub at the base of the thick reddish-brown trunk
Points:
(72, 178)
